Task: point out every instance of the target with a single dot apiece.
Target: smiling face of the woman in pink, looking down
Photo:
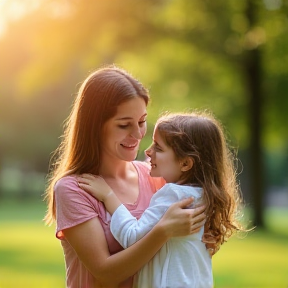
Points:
(123, 132)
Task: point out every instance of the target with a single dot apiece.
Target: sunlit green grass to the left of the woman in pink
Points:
(30, 255)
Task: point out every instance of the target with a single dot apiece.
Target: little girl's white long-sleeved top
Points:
(183, 261)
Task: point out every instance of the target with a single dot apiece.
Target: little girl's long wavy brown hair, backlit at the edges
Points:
(200, 136)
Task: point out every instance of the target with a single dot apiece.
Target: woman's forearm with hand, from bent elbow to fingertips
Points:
(175, 222)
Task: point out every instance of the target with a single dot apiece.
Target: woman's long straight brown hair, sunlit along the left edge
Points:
(96, 102)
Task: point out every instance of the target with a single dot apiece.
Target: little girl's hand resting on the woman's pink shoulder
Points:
(95, 185)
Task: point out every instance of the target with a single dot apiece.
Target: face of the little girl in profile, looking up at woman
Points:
(163, 160)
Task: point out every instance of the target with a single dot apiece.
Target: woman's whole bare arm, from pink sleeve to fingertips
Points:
(88, 240)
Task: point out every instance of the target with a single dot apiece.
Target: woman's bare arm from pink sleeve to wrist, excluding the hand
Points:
(89, 242)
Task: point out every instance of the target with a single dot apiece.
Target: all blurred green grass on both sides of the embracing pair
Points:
(31, 256)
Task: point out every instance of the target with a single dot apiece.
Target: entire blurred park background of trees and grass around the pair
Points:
(229, 57)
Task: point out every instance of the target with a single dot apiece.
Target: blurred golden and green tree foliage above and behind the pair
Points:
(190, 54)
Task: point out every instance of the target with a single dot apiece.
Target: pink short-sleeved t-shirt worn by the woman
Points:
(75, 206)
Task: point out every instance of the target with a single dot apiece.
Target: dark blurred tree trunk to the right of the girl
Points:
(254, 82)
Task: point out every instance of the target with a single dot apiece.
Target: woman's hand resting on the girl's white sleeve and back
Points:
(178, 221)
